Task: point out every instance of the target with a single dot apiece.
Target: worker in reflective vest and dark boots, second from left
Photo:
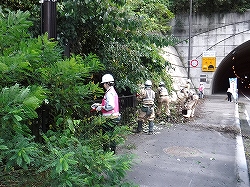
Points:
(146, 112)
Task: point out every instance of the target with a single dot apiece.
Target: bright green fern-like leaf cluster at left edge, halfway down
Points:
(17, 107)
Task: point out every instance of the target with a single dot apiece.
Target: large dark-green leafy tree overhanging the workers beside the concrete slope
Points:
(125, 37)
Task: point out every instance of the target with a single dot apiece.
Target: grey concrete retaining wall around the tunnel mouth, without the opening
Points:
(221, 33)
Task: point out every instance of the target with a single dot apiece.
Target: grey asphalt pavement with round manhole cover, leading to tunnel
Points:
(199, 153)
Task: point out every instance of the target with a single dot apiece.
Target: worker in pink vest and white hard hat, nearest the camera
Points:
(109, 108)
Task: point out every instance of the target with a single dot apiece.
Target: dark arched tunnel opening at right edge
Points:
(235, 64)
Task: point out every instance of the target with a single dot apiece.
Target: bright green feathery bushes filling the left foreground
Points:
(63, 148)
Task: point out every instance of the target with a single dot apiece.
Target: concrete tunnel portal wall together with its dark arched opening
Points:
(226, 34)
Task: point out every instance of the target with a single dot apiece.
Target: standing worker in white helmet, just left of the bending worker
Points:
(163, 101)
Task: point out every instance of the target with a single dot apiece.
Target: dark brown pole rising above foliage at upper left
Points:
(48, 15)
